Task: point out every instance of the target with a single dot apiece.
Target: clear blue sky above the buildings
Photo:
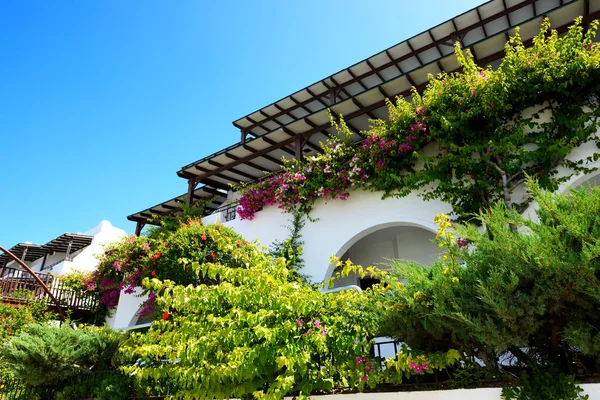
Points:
(101, 102)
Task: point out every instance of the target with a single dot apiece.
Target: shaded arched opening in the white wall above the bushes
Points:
(378, 246)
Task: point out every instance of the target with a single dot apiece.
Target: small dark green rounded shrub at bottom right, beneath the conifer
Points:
(545, 385)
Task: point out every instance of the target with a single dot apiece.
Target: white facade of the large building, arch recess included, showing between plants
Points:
(364, 228)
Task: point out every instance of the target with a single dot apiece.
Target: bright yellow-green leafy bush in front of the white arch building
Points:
(257, 333)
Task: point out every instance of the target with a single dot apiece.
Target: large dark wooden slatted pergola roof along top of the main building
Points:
(296, 125)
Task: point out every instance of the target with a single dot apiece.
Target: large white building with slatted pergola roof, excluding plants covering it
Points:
(364, 228)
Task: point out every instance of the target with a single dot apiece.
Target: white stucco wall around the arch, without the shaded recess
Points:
(341, 224)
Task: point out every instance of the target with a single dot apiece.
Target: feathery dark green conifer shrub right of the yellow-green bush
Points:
(499, 291)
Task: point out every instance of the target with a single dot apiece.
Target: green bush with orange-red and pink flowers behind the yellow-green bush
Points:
(125, 264)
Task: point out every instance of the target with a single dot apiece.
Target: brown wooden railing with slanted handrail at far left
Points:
(19, 287)
